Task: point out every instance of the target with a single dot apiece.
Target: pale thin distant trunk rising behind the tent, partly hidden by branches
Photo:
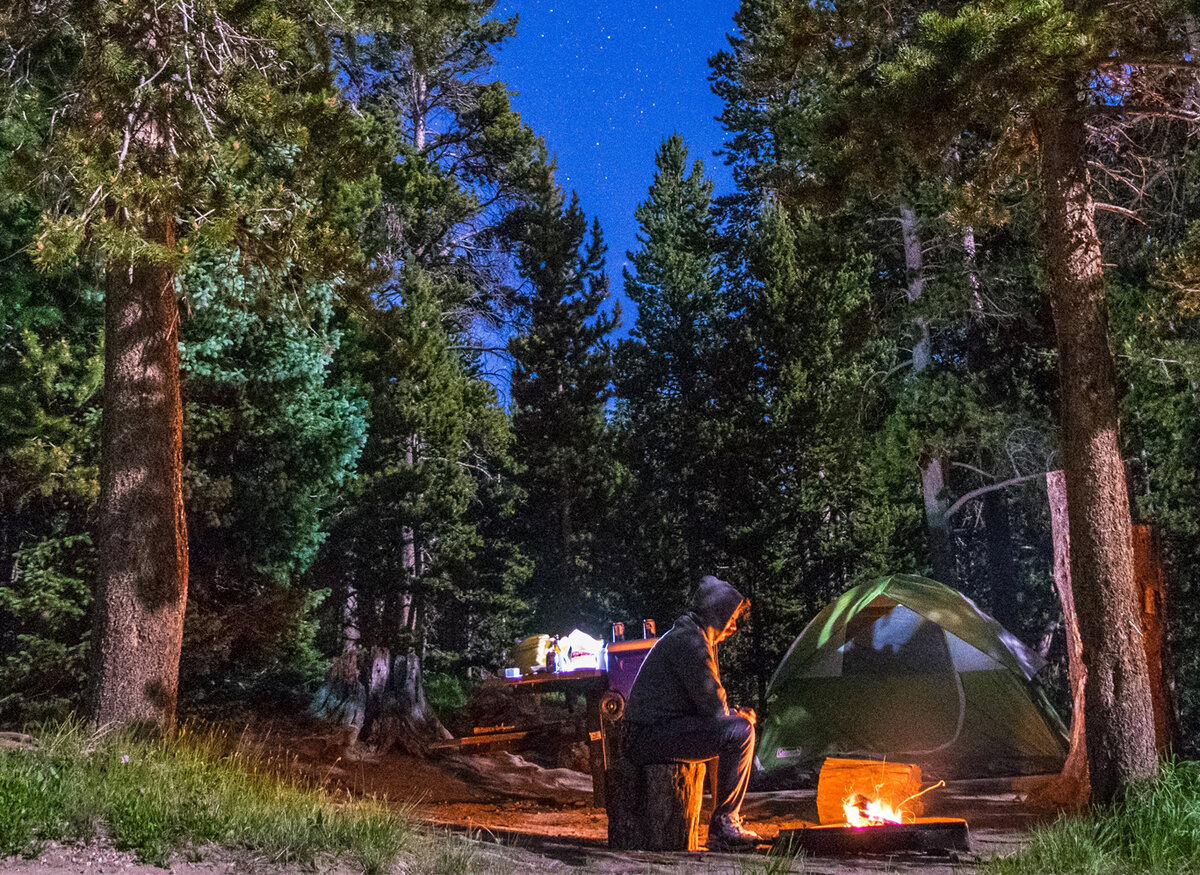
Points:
(933, 476)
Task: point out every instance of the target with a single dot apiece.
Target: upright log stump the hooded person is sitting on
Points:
(651, 808)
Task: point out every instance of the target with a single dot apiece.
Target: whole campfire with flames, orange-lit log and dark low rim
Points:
(872, 807)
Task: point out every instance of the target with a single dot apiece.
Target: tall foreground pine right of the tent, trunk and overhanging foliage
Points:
(910, 87)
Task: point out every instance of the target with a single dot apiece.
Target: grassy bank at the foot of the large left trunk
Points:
(161, 798)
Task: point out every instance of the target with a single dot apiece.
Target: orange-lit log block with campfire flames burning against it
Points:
(865, 793)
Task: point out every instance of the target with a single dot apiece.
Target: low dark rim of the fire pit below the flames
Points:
(926, 835)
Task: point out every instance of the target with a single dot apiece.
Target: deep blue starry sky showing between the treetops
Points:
(605, 82)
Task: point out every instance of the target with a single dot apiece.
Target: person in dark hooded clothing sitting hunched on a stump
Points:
(677, 710)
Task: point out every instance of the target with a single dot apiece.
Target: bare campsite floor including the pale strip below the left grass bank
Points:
(501, 814)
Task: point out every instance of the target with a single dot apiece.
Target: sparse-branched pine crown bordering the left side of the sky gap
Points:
(464, 157)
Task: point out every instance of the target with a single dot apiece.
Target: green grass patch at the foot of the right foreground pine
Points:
(1155, 831)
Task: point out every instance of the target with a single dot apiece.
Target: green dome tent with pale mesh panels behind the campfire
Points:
(909, 669)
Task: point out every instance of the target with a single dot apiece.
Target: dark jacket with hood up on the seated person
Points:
(680, 676)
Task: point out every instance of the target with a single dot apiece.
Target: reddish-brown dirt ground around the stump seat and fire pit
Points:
(548, 814)
